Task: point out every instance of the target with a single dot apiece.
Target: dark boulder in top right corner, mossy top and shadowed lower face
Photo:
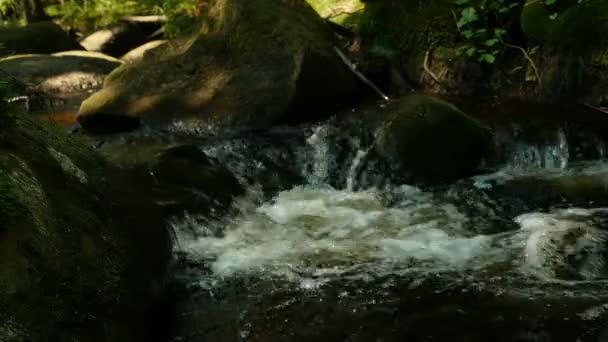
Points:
(574, 48)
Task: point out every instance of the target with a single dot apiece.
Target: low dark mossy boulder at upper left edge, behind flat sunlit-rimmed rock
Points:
(43, 37)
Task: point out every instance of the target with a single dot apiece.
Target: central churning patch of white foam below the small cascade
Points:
(318, 231)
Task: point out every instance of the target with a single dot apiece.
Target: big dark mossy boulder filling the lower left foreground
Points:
(80, 259)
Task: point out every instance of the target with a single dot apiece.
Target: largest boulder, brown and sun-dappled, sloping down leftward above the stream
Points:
(254, 64)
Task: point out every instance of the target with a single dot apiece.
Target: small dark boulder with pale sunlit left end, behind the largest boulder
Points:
(124, 35)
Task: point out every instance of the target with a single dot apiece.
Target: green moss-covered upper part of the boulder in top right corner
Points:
(578, 28)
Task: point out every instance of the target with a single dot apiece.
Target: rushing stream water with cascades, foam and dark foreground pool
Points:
(330, 244)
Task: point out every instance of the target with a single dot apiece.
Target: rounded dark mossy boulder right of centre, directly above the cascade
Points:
(431, 139)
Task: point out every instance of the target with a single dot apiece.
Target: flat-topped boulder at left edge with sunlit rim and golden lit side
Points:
(59, 80)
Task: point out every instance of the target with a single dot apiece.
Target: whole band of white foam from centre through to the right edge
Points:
(317, 233)
